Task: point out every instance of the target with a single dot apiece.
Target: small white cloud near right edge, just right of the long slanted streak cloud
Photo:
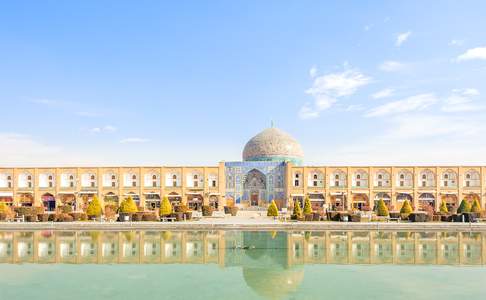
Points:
(461, 100)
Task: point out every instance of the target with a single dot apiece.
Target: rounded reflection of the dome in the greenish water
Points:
(273, 283)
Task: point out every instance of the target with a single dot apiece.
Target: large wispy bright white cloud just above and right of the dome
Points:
(327, 89)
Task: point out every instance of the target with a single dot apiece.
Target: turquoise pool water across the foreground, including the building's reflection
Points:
(242, 265)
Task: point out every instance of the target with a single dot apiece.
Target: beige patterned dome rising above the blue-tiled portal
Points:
(273, 144)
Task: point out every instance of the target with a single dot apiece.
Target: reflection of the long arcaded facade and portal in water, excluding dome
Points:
(248, 249)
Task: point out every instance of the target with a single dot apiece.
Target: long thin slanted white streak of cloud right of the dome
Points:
(413, 103)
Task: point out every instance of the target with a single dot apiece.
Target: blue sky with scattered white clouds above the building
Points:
(189, 82)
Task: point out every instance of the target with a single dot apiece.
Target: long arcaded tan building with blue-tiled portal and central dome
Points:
(272, 169)
